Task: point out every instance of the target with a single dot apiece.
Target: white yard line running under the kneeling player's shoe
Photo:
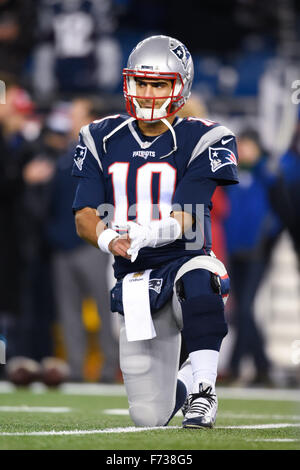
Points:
(78, 432)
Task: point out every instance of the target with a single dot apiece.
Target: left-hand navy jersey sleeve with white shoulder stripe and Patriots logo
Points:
(87, 168)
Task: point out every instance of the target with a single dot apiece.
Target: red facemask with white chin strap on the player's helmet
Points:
(170, 106)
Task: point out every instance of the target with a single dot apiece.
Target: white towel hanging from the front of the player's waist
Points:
(136, 304)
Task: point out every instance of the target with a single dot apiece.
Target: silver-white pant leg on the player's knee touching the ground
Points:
(150, 369)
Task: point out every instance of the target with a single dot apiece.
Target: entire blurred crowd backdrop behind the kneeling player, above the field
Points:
(61, 62)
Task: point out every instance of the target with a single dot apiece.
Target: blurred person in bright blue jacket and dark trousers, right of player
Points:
(251, 230)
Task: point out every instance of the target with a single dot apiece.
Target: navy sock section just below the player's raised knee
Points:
(204, 324)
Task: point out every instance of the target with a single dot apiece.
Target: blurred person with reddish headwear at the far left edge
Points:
(13, 119)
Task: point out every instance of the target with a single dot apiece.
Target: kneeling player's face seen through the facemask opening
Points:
(153, 88)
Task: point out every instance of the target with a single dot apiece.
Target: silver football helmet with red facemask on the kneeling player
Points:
(158, 57)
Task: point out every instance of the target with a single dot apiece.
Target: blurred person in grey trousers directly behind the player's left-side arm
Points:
(79, 270)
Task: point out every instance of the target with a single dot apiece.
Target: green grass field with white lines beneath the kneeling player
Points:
(80, 419)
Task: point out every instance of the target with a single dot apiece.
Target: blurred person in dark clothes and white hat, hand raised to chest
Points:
(34, 329)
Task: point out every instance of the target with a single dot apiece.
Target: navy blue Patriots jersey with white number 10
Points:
(144, 178)
